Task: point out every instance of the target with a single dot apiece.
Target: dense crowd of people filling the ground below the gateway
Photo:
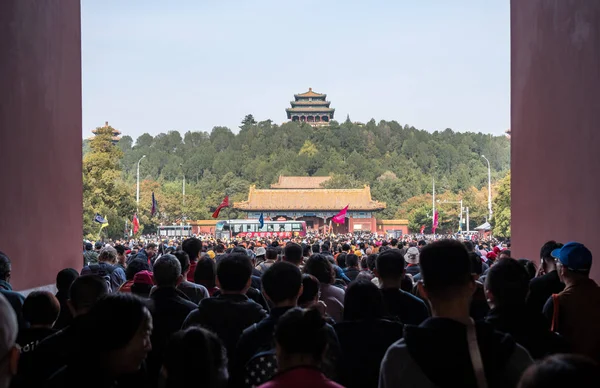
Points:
(315, 312)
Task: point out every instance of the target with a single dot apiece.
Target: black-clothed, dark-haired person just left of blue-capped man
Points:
(506, 288)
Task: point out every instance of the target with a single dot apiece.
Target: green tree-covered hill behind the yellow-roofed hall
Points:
(397, 161)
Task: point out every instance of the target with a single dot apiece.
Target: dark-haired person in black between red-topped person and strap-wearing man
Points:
(364, 315)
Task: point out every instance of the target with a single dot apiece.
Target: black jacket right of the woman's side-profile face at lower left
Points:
(170, 307)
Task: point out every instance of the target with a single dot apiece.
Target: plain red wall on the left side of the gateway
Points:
(40, 138)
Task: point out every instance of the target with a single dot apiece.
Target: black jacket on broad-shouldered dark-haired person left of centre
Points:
(227, 316)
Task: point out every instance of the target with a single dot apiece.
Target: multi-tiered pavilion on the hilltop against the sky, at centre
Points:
(310, 107)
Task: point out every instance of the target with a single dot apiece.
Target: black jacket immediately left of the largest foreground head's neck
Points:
(404, 306)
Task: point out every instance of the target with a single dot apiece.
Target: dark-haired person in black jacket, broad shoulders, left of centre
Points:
(228, 314)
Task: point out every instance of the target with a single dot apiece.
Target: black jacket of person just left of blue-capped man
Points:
(529, 329)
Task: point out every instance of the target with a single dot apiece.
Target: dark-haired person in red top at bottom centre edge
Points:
(301, 342)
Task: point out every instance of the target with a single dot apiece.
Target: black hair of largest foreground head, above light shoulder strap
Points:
(445, 265)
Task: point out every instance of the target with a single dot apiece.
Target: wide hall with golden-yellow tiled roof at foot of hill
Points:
(302, 198)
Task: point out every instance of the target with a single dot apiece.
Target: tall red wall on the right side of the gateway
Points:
(555, 124)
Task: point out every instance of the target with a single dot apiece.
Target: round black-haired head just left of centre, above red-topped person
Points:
(282, 281)
